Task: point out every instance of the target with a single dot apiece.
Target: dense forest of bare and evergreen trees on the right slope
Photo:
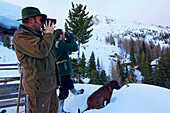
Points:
(141, 55)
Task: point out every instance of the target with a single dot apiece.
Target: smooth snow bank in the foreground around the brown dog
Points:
(138, 98)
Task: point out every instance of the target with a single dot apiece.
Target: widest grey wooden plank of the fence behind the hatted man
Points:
(9, 88)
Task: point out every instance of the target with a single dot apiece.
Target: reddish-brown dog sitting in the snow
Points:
(96, 100)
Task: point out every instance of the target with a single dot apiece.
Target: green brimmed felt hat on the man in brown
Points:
(30, 12)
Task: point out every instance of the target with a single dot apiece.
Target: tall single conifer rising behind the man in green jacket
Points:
(79, 24)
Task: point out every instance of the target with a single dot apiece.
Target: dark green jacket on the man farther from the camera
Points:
(61, 53)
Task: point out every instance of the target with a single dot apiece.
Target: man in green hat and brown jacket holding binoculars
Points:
(33, 50)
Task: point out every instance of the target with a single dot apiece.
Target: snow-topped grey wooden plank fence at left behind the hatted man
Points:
(9, 92)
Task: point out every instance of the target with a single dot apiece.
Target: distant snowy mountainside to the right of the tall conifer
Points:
(104, 27)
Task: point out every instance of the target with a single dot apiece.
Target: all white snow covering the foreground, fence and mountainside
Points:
(137, 98)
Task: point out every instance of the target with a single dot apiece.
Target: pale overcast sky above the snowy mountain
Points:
(143, 11)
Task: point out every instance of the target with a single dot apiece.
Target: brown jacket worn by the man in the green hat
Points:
(34, 53)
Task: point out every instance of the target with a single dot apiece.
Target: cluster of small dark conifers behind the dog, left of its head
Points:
(92, 70)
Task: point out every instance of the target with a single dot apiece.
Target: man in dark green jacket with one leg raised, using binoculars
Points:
(62, 46)
